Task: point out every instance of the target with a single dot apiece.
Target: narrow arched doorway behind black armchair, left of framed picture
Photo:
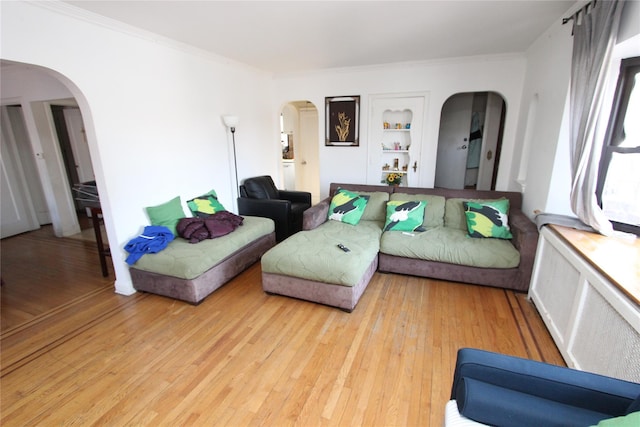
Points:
(300, 147)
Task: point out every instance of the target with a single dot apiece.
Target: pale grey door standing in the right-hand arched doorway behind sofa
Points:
(453, 141)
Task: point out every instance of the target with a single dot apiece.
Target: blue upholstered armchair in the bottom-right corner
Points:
(500, 390)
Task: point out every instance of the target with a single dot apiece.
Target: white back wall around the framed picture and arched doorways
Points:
(439, 79)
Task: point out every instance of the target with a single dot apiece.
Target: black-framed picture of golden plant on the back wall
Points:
(342, 118)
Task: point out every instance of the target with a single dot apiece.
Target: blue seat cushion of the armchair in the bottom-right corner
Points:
(490, 404)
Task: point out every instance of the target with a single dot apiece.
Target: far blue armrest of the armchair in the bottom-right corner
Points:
(566, 386)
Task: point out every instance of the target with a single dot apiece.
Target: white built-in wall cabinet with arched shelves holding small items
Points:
(396, 138)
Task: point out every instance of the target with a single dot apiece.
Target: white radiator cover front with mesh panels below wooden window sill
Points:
(595, 326)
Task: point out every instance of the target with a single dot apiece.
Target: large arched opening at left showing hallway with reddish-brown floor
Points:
(29, 96)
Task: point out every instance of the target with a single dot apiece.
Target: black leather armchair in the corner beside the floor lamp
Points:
(260, 197)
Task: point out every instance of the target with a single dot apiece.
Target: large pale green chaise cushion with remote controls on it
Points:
(314, 255)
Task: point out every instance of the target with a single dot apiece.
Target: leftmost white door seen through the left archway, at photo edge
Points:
(16, 210)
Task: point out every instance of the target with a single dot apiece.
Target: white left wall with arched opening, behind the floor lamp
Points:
(152, 109)
